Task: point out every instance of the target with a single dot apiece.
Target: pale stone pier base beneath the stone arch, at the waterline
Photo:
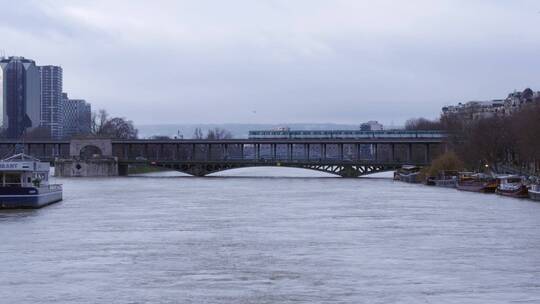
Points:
(95, 167)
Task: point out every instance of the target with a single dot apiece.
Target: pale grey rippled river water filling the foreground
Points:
(283, 239)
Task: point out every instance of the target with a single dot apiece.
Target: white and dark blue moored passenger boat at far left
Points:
(25, 183)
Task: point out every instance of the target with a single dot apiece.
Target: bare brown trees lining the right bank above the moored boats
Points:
(511, 140)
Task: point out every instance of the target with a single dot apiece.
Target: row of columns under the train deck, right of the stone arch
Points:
(262, 150)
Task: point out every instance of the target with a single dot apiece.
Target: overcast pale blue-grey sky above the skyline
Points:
(279, 61)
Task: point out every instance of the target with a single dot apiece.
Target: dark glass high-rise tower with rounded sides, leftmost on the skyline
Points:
(19, 95)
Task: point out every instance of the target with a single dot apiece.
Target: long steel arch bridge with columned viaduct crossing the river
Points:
(343, 157)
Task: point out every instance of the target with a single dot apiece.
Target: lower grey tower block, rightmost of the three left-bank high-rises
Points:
(76, 116)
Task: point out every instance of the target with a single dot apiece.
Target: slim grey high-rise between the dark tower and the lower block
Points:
(51, 99)
